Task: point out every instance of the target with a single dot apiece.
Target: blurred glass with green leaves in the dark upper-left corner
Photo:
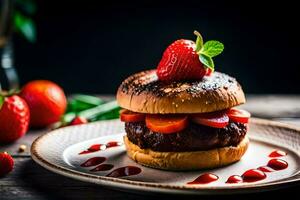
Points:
(15, 16)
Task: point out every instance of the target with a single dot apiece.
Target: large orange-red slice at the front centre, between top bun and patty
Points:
(166, 123)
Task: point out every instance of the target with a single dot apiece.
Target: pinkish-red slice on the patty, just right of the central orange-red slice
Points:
(216, 119)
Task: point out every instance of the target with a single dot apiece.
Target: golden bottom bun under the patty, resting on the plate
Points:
(192, 160)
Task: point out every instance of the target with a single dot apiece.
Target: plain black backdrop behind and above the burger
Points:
(91, 46)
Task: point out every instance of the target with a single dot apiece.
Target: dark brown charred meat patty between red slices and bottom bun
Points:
(193, 138)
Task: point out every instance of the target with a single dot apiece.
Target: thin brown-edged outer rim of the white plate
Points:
(159, 187)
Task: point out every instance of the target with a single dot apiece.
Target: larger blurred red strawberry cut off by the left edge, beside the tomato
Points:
(14, 118)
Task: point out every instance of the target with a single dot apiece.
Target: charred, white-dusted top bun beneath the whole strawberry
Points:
(144, 93)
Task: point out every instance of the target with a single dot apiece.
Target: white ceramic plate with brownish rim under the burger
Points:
(59, 151)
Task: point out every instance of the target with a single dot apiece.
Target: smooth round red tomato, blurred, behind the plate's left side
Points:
(46, 100)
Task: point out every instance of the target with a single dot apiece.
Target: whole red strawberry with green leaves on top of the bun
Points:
(186, 59)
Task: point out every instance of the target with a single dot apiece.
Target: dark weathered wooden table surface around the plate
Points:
(30, 181)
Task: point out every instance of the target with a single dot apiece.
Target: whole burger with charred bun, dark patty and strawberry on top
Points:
(182, 115)
